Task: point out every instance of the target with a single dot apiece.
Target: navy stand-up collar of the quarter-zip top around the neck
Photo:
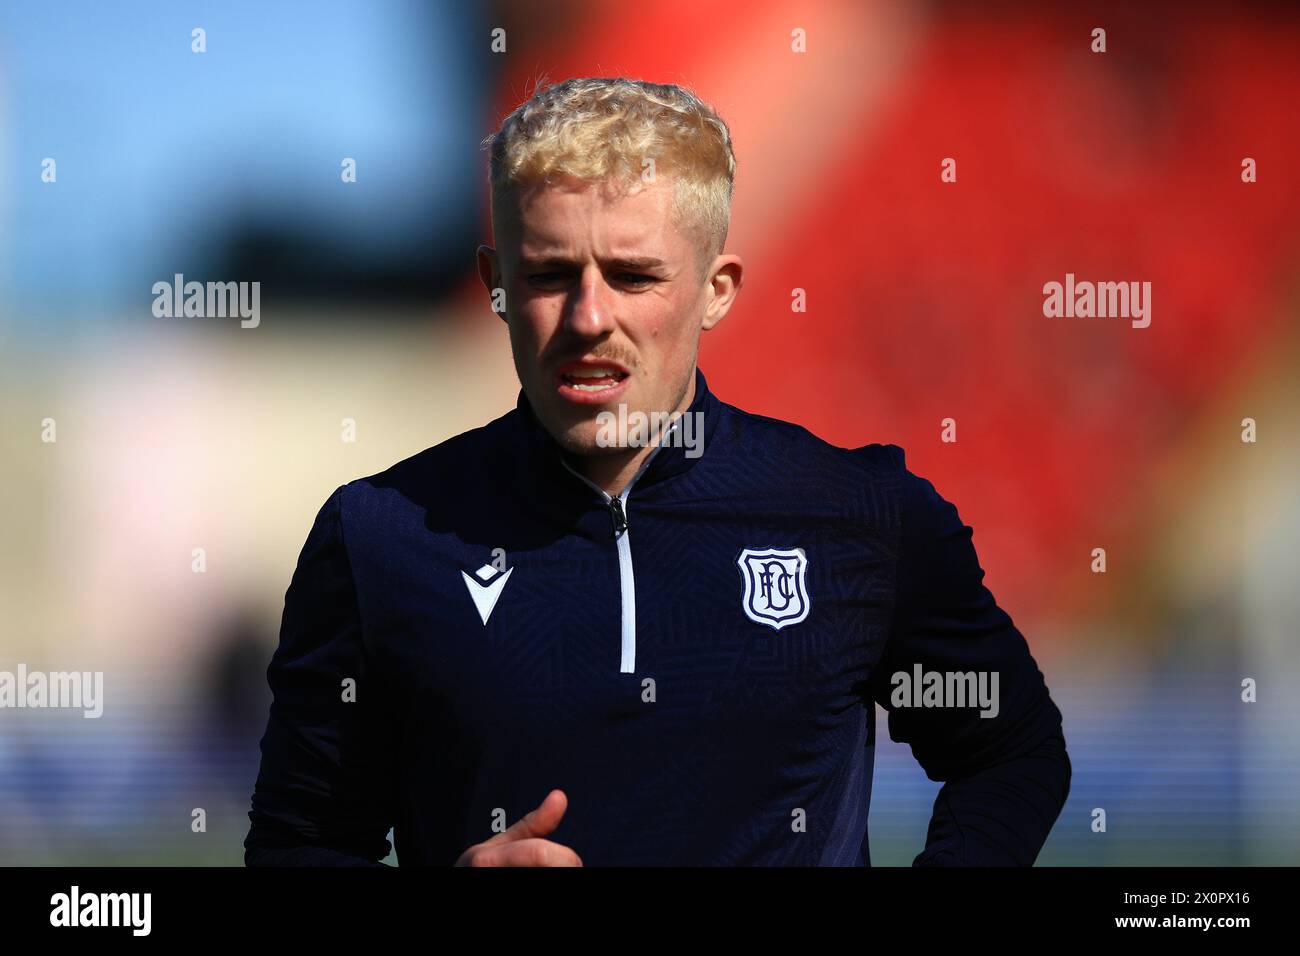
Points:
(666, 461)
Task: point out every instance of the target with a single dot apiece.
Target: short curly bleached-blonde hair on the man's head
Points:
(605, 129)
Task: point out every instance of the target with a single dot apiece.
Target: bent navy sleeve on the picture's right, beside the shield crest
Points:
(1007, 777)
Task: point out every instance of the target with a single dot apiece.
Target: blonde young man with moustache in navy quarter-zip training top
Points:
(629, 624)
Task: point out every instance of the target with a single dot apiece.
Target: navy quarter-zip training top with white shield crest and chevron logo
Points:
(695, 663)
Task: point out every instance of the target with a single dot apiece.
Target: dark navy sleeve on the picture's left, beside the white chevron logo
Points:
(324, 790)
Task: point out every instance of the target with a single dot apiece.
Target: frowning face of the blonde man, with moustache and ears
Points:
(605, 302)
